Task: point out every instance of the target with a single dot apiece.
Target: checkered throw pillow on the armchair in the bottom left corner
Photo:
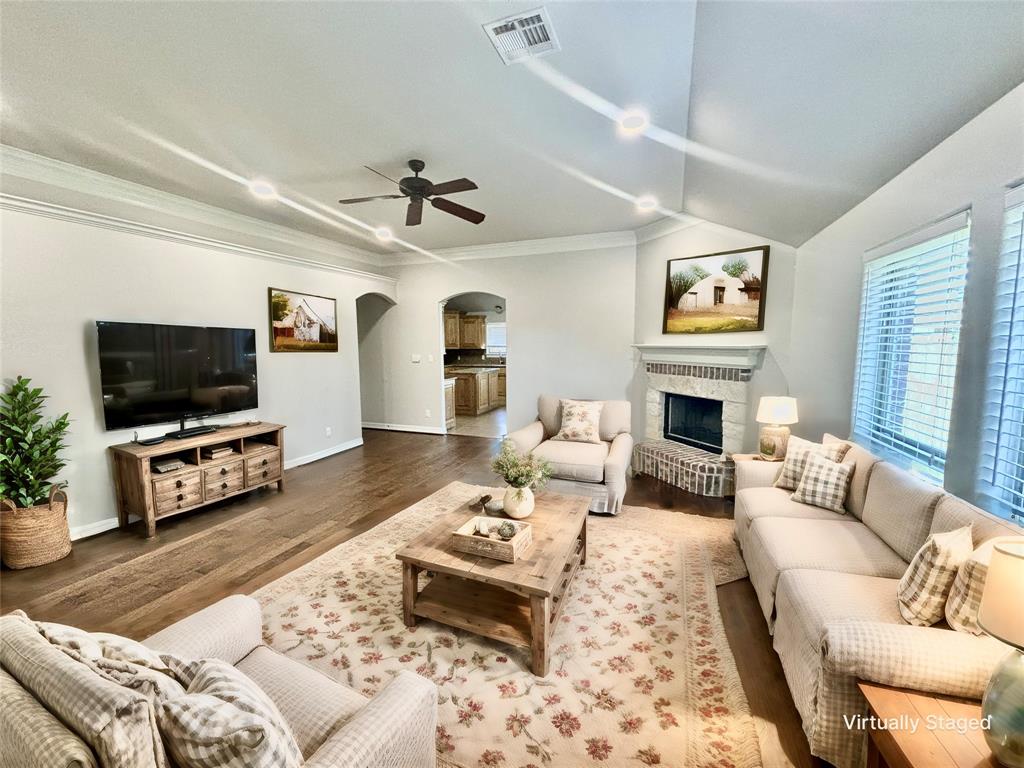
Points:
(225, 721)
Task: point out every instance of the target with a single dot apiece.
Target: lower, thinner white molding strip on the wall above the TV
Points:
(64, 214)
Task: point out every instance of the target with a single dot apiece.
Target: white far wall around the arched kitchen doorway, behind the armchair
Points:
(570, 329)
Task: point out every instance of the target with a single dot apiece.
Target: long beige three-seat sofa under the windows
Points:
(827, 583)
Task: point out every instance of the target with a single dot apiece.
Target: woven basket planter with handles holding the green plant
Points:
(35, 536)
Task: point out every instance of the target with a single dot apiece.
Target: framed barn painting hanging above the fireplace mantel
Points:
(718, 293)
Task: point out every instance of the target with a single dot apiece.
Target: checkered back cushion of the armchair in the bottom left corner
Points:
(119, 724)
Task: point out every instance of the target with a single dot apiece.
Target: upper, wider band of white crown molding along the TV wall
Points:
(37, 168)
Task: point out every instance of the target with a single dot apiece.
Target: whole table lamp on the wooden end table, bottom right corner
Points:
(1002, 616)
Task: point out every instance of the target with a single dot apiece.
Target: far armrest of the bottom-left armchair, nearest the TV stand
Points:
(229, 630)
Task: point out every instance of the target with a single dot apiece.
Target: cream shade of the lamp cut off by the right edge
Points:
(1002, 612)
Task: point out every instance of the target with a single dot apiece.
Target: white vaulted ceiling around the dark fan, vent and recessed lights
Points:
(774, 118)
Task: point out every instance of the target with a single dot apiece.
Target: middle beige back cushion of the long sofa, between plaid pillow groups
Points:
(900, 508)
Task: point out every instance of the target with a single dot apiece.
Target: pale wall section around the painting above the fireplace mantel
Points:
(699, 240)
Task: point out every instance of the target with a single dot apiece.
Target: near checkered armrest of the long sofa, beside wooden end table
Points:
(926, 659)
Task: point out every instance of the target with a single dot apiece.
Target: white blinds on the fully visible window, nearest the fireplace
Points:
(911, 310)
